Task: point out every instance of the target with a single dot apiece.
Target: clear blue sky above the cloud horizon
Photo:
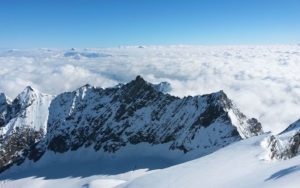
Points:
(109, 23)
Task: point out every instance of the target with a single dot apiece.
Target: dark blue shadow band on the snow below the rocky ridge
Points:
(86, 169)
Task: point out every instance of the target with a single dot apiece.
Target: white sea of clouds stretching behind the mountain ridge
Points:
(263, 81)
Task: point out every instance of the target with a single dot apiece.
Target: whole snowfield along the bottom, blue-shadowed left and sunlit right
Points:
(241, 164)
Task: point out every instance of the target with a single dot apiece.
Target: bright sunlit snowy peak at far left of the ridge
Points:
(23, 122)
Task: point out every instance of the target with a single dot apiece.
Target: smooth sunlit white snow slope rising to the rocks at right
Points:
(241, 164)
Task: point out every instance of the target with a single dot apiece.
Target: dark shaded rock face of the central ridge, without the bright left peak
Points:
(137, 112)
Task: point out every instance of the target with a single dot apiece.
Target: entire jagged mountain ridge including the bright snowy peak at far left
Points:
(107, 120)
